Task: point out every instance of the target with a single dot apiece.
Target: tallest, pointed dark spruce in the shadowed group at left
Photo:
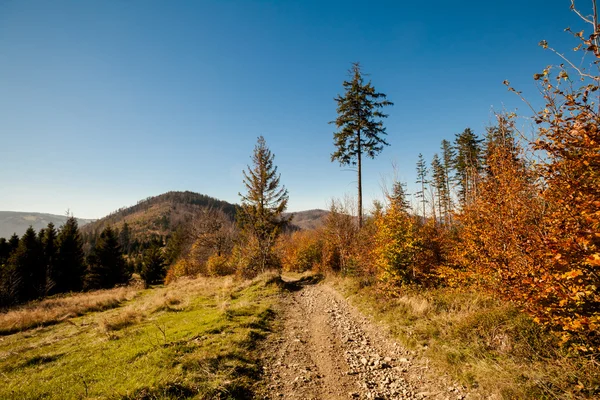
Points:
(68, 275)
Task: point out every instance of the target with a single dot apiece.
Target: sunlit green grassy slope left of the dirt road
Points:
(192, 339)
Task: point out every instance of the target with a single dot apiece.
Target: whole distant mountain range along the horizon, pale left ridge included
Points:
(157, 215)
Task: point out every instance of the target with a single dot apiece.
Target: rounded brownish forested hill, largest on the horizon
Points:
(160, 215)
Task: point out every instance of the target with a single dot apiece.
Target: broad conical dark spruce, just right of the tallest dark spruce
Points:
(107, 266)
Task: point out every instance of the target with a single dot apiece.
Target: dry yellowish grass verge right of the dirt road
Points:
(480, 342)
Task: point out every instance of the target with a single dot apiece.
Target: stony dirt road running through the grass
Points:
(325, 349)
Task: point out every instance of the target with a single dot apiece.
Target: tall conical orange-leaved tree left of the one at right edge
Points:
(500, 231)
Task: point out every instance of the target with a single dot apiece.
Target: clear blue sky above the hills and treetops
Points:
(106, 102)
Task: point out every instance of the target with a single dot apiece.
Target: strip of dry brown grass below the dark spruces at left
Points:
(58, 309)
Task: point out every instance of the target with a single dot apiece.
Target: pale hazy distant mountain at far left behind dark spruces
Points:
(18, 222)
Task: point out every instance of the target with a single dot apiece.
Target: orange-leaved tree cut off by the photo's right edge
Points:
(569, 137)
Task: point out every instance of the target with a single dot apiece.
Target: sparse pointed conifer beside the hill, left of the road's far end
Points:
(263, 205)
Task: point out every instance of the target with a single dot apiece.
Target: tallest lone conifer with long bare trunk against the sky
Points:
(360, 129)
